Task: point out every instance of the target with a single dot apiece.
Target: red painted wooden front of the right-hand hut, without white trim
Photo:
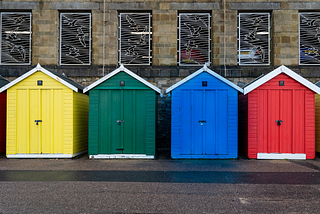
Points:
(292, 103)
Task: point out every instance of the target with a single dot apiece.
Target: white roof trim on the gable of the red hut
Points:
(277, 71)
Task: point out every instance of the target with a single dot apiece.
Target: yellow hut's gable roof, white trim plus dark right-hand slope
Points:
(58, 77)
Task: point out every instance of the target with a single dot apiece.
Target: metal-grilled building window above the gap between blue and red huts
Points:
(254, 39)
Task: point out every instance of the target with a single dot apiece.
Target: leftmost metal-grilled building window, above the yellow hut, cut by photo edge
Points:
(15, 38)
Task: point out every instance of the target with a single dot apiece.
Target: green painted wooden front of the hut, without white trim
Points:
(135, 104)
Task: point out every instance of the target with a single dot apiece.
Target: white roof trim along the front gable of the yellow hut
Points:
(29, 73)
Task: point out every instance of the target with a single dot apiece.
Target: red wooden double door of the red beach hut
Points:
(281, 121)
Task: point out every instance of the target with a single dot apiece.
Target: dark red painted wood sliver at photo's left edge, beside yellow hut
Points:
(3, 106)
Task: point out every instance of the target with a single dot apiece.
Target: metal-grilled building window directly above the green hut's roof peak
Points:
(135, 32)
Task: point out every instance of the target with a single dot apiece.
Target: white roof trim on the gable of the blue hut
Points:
(204, 69)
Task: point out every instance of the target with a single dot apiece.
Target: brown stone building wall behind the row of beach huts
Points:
(164, 71)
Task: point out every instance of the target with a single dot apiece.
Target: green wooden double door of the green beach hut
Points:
(122, 122)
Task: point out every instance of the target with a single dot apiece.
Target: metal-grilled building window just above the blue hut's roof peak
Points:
(194, 43)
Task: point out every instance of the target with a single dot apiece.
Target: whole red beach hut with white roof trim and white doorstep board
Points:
(277, 117)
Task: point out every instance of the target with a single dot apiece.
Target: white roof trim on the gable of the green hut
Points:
(121, 68)
